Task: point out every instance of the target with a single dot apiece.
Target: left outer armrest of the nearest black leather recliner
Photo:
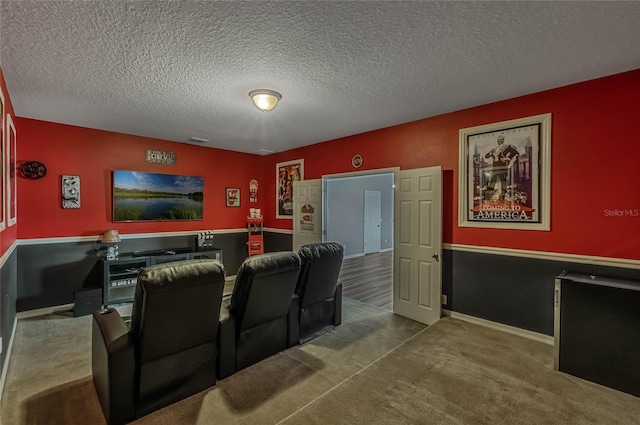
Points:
(113, 366)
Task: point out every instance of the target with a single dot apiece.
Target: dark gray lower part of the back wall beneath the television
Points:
(48, 274)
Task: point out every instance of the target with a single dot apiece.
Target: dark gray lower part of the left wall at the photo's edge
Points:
(8, 278)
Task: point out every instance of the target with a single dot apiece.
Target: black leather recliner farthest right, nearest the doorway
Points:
(318, 289)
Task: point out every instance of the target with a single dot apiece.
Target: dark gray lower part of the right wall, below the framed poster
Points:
(510, 290)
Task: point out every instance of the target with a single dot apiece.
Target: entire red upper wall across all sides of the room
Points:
(595, 155)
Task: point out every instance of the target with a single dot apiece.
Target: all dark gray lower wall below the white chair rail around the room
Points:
(510, 290)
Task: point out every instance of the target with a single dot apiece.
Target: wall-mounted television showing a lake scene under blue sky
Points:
(141, 196)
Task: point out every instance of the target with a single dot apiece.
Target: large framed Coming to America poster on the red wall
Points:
(504, 174)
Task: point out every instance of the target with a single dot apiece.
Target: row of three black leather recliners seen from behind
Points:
(184, 334)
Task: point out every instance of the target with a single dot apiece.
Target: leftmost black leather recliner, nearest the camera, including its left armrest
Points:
(170, 351)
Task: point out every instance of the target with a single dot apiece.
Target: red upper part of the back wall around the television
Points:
(94, 154)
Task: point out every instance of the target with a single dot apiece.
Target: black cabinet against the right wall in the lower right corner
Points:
(597, 329)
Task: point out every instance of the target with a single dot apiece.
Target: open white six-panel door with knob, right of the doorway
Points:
(417, 271)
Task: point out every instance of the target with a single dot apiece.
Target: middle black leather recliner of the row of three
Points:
(254, 320)
